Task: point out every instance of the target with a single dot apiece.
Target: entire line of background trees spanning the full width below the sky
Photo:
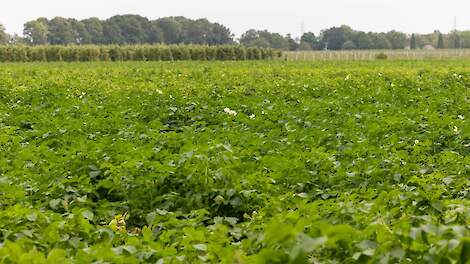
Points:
(136, 29)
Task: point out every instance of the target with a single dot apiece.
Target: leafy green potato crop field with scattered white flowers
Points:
(235, 162)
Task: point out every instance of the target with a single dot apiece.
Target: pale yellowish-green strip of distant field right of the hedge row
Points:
(371, 54)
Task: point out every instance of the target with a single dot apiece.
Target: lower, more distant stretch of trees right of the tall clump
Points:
(346, 38)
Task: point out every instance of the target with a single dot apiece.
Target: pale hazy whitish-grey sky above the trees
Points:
(279, 16)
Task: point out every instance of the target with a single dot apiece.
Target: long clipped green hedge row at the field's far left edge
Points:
(134, 53)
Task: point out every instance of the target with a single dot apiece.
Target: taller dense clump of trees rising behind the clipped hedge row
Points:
(123, 30)
